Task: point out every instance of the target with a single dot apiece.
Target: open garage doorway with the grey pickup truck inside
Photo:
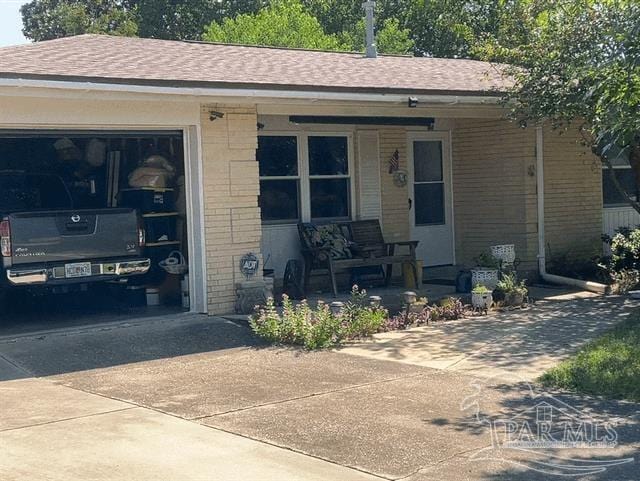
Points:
(93, 228)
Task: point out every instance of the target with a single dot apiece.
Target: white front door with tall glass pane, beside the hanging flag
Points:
(430, 202)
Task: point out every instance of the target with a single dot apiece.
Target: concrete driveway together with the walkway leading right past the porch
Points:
(198, 399)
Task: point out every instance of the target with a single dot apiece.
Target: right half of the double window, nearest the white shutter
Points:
(329, 184)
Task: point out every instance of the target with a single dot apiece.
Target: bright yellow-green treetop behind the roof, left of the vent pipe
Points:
(284, 23)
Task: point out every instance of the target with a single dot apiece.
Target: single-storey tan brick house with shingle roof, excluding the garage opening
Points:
(277, 136)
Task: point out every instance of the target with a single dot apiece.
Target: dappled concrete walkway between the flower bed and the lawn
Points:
(522, 343)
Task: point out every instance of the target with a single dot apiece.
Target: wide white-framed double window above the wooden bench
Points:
(316, 186)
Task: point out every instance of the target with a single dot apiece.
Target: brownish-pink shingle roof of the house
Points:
(160, 62)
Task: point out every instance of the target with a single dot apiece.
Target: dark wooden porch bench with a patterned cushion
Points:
(346, 245)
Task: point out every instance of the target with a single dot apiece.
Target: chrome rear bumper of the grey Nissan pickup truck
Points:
(100, 271)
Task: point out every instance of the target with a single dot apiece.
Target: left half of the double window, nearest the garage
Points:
(279, 178)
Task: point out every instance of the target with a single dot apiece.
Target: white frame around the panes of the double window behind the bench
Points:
(304, 178)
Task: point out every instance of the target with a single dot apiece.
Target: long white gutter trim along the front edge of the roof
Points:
(243, 93)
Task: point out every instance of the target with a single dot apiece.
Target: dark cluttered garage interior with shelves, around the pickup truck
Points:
(143, 171)
